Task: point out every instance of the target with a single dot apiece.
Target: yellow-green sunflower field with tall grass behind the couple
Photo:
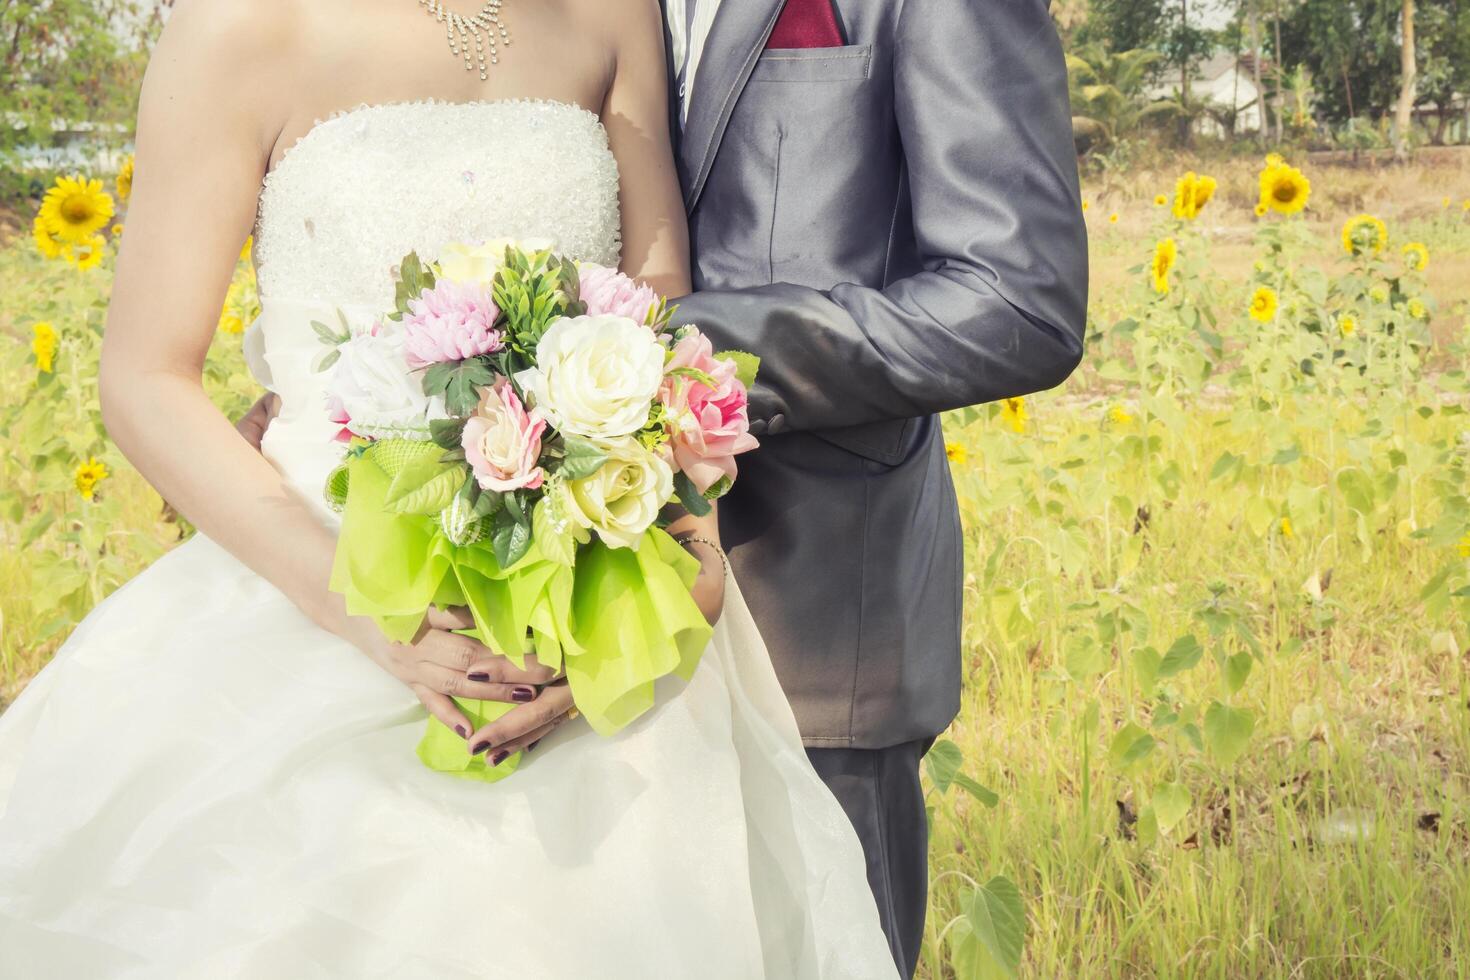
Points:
(1218, 716)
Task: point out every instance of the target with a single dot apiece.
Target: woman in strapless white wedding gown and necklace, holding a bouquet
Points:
(217, 778)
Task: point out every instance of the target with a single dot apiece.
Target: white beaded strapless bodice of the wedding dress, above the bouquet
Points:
(365, 187)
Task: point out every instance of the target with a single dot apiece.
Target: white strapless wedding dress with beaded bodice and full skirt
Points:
(204, 784)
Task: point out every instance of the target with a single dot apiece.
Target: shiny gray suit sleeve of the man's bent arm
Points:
(999, 309)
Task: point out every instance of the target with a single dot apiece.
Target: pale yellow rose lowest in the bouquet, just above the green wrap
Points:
(621, 500)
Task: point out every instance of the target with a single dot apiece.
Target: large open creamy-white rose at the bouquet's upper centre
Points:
(596, 375)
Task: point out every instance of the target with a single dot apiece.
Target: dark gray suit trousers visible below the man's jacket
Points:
(881, 793)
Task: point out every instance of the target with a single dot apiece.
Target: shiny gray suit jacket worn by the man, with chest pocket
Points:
(896, 228)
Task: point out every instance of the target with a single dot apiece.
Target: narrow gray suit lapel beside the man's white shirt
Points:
(730, 55)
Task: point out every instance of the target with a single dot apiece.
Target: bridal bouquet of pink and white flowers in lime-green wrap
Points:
(515, 427)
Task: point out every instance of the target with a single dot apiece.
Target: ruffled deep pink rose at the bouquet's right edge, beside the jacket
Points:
(711, 425)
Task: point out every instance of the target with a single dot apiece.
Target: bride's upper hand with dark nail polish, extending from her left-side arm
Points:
(440, 665)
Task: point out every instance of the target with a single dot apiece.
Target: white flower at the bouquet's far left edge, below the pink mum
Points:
(381, 396)
